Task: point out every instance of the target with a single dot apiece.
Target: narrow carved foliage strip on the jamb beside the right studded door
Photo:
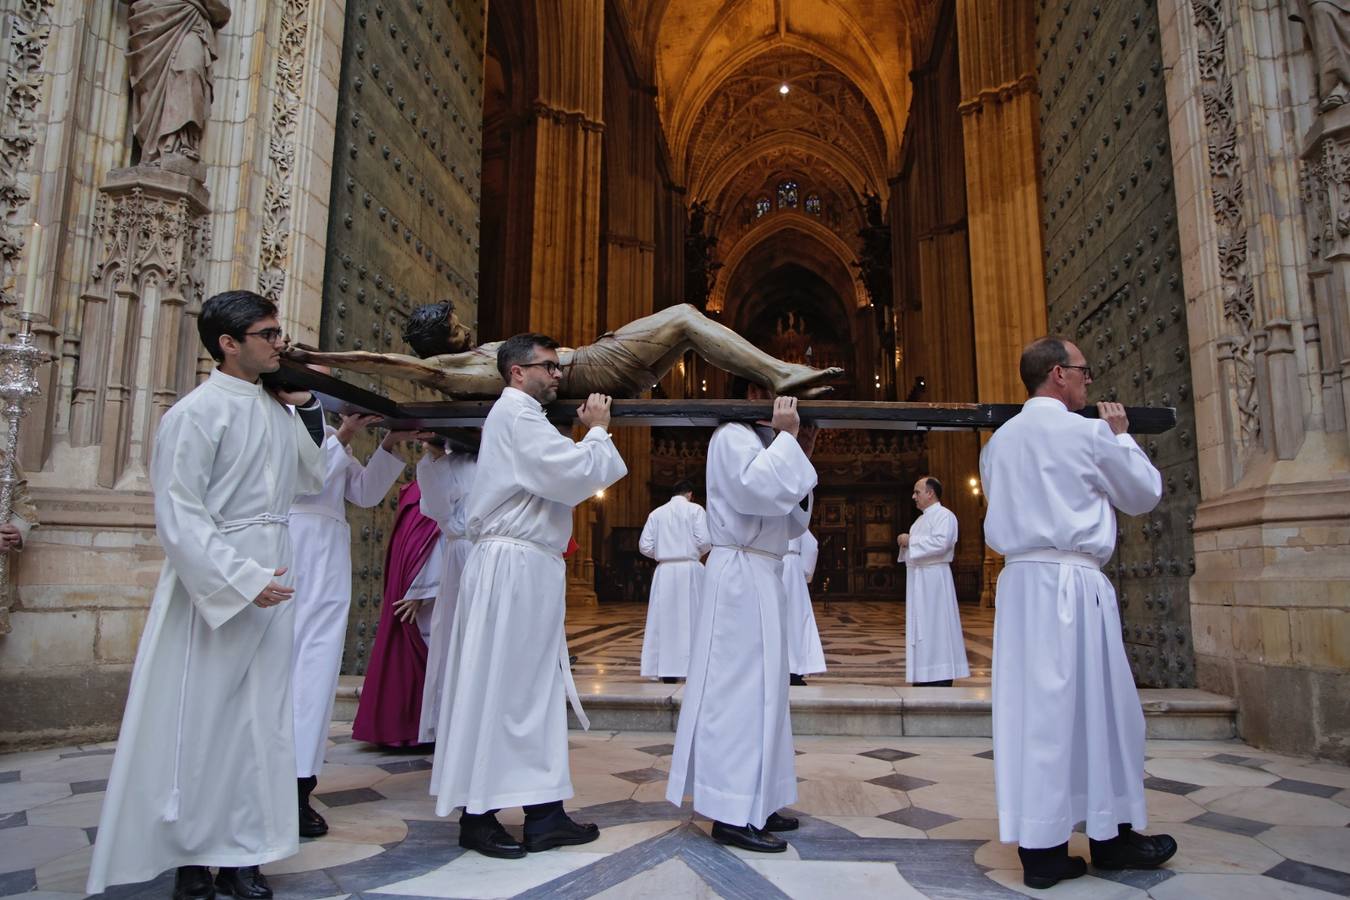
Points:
(1226, 192)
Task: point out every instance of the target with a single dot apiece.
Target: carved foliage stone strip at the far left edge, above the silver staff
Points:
(30, 32)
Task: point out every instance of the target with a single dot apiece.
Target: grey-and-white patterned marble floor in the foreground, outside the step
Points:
(881, 817)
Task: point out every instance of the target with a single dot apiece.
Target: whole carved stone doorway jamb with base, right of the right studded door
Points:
(1266, 291)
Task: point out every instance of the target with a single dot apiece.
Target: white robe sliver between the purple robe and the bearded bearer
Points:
(445, 493)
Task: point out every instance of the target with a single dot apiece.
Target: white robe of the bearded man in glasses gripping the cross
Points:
(503, 731)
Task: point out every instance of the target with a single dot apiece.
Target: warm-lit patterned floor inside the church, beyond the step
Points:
(863, 642)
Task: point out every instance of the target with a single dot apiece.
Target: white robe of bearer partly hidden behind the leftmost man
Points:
(322, 544)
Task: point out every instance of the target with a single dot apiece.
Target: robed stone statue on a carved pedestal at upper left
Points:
(171, 49)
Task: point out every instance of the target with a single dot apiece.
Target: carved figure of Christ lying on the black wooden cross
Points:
(620, 364)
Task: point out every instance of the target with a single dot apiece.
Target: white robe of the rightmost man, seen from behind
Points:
(1069, 729)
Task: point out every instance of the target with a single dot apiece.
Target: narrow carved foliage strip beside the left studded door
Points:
(290, 79)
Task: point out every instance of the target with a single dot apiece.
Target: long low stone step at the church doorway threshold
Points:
(1177, 714)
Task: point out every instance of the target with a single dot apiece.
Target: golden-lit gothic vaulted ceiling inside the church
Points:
(788, 109)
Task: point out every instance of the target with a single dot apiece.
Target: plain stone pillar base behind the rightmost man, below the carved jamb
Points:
(1271, 613)
